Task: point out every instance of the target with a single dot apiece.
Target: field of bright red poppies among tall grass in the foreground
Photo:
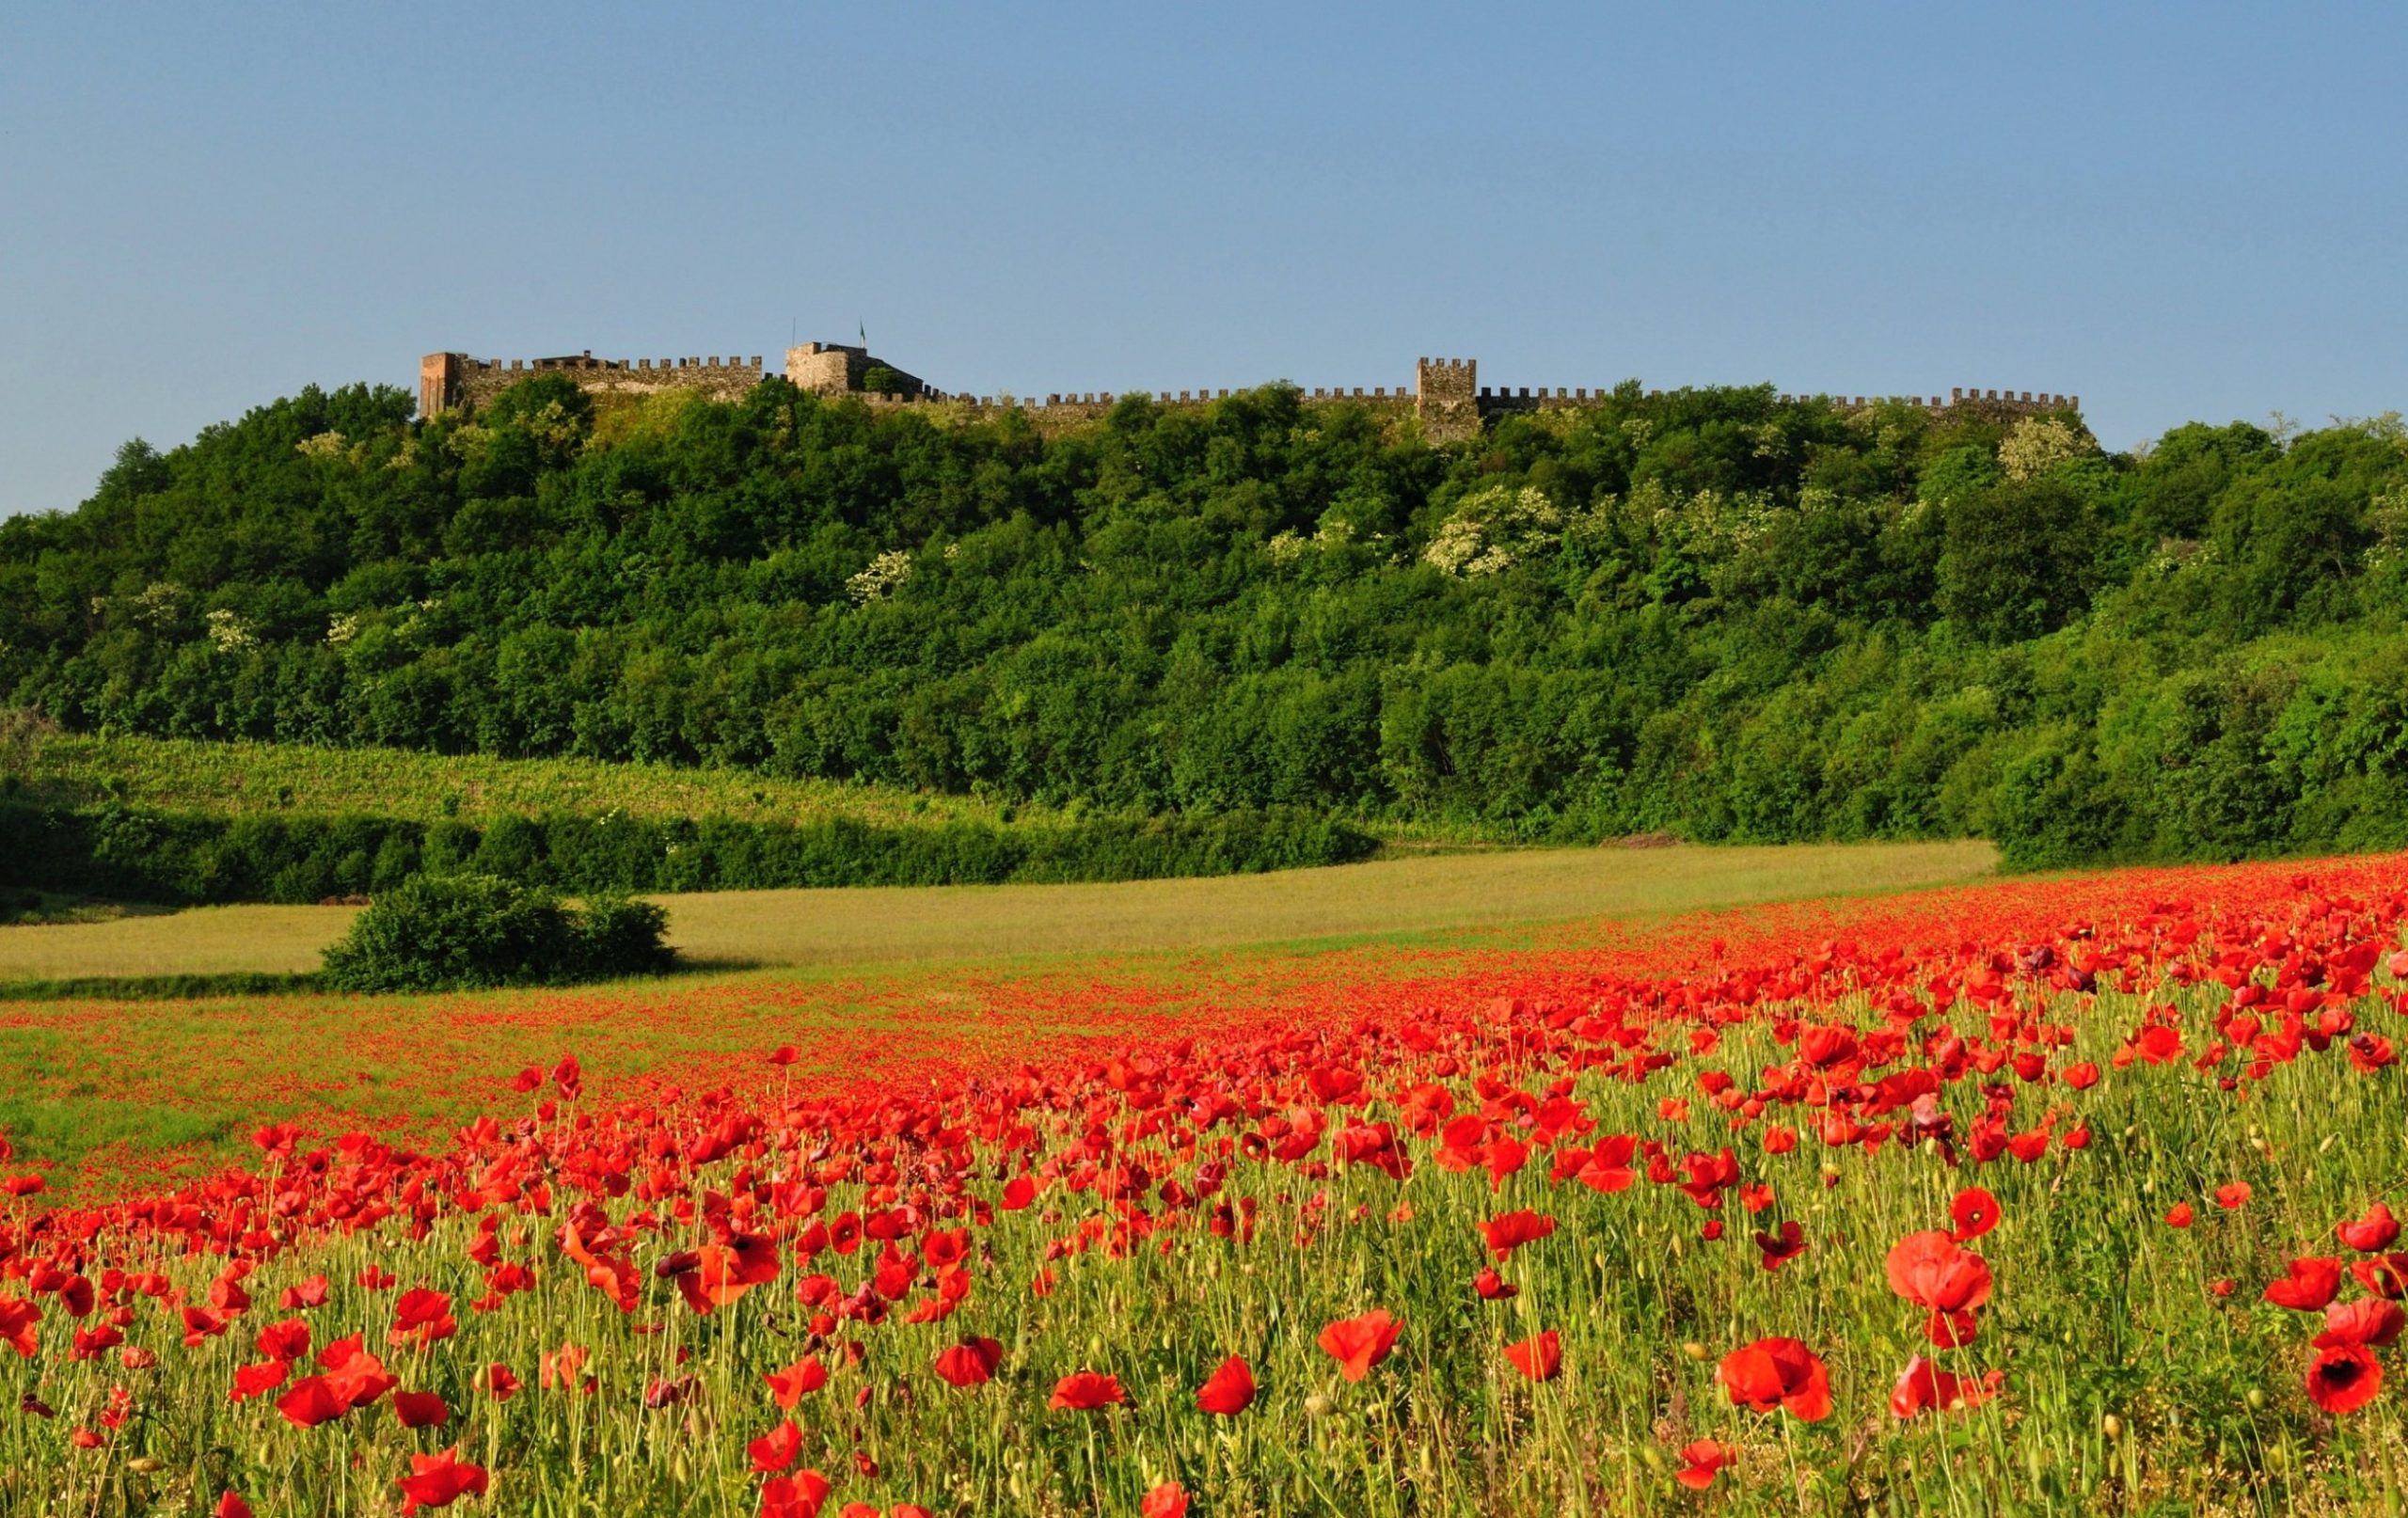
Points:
(2041, 1196)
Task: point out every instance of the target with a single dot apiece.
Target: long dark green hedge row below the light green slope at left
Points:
(189, 859)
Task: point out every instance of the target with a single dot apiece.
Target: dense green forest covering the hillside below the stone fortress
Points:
(1711, 613)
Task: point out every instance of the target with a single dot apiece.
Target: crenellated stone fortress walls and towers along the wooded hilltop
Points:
(1446, 396)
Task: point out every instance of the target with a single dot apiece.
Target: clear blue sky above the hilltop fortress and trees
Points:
(2173, 211)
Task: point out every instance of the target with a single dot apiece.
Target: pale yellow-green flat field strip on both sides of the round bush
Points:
(948, 924)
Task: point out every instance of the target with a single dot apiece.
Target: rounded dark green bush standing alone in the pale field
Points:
(478, 931)
